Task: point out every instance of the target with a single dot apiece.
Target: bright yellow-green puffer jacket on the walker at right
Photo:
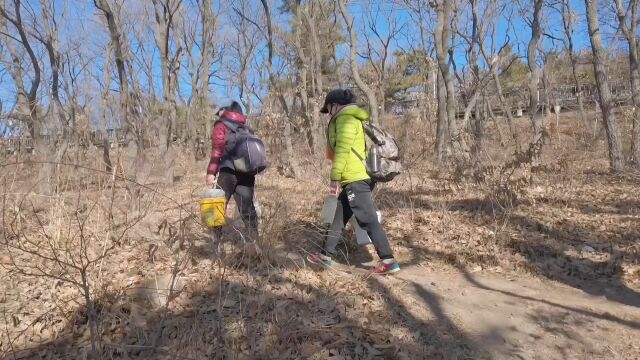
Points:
(345, 132)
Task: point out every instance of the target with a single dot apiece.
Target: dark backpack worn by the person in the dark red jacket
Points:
(244, 149)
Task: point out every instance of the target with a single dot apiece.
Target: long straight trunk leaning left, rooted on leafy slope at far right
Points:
(616, 159)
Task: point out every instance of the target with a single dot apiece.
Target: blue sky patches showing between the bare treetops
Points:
(81, 26)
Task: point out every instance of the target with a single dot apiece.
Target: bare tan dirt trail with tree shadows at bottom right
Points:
(522, 317)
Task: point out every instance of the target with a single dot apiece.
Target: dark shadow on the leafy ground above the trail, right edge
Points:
(552, 251)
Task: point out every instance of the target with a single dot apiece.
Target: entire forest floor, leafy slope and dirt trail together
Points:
(542, 265)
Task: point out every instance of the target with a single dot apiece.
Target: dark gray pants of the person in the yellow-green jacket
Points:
(356, 200)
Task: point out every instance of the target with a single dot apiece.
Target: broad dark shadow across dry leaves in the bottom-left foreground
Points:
(265, 315)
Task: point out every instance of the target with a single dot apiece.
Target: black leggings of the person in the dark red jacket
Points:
(242, 187)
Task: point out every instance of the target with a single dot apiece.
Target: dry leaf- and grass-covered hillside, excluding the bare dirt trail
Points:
(159, 290)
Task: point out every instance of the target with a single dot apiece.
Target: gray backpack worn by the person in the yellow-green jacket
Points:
(383, 157)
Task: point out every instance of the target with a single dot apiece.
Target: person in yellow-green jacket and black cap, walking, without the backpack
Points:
(346, 148)
